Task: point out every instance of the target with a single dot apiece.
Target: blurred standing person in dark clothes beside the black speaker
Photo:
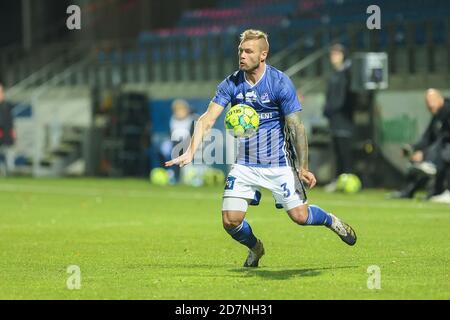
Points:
(338, 110)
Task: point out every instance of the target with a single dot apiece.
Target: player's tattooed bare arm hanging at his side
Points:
(299, 140)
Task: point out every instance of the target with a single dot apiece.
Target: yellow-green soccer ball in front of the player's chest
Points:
(242, 121)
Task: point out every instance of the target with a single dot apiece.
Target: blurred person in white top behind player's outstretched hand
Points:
(181, 130)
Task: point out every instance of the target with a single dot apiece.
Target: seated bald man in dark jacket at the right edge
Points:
(431, 155)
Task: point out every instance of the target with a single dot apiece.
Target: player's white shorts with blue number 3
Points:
(245, 182)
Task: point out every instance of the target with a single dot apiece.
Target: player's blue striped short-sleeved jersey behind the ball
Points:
(273, 97)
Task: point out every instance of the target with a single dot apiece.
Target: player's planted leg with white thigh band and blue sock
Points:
(234, 223)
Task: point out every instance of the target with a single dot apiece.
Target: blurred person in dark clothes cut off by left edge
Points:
(7, 134)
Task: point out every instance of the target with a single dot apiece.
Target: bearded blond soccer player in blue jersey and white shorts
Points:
(281, 165)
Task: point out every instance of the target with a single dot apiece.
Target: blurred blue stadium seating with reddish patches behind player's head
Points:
(213, 32)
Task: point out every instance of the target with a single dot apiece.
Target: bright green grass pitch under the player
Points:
(132, 240)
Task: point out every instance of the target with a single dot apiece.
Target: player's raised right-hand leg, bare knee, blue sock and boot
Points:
(311, 215)
